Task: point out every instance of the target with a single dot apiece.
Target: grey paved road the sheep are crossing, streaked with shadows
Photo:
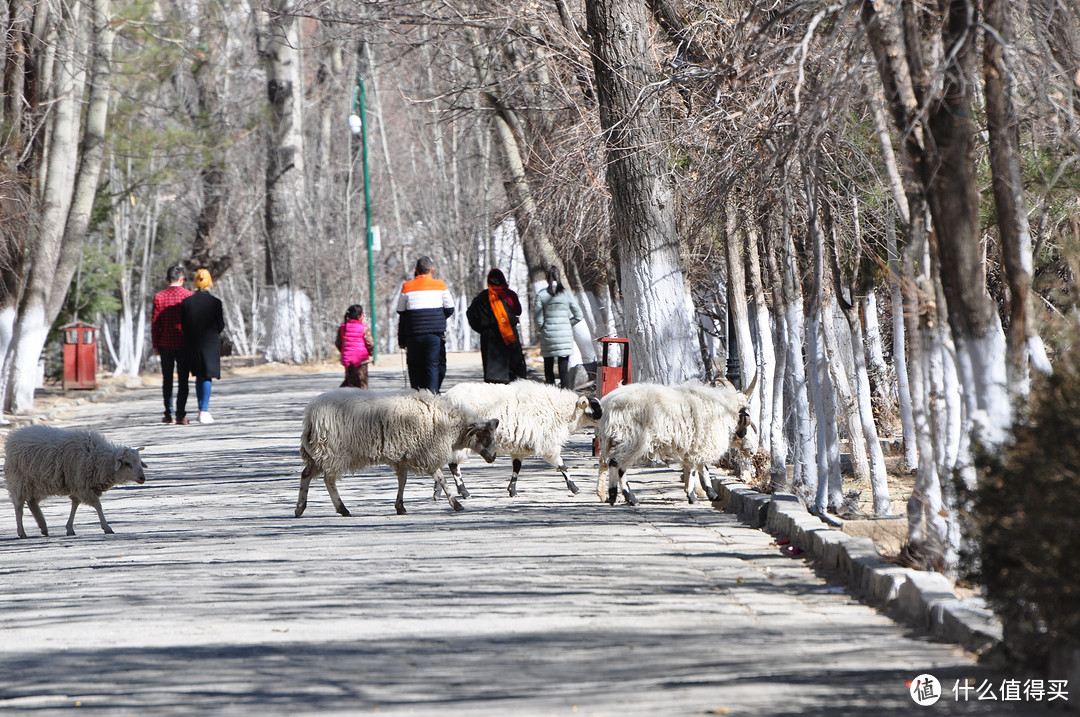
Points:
(212, 599)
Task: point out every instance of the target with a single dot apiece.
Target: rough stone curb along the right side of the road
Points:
(925, 600)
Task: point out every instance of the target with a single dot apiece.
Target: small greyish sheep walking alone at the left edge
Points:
(43, 462)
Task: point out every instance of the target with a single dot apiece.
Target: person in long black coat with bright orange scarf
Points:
(494, 316)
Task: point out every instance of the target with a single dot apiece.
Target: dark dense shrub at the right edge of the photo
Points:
(1027, 522)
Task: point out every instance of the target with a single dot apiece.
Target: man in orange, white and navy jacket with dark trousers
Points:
(424, 307)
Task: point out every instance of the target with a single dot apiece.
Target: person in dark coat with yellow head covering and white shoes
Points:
(204, 321)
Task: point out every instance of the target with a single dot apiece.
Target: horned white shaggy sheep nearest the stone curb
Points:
(692, 424)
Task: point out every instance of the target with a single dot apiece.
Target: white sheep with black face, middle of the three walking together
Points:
(535, 420)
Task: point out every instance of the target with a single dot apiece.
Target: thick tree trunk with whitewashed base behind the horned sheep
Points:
(659, 319)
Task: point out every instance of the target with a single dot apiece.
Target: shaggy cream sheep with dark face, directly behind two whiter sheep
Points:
(347, 430)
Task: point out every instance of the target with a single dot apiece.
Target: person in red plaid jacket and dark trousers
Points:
(168, 340)
